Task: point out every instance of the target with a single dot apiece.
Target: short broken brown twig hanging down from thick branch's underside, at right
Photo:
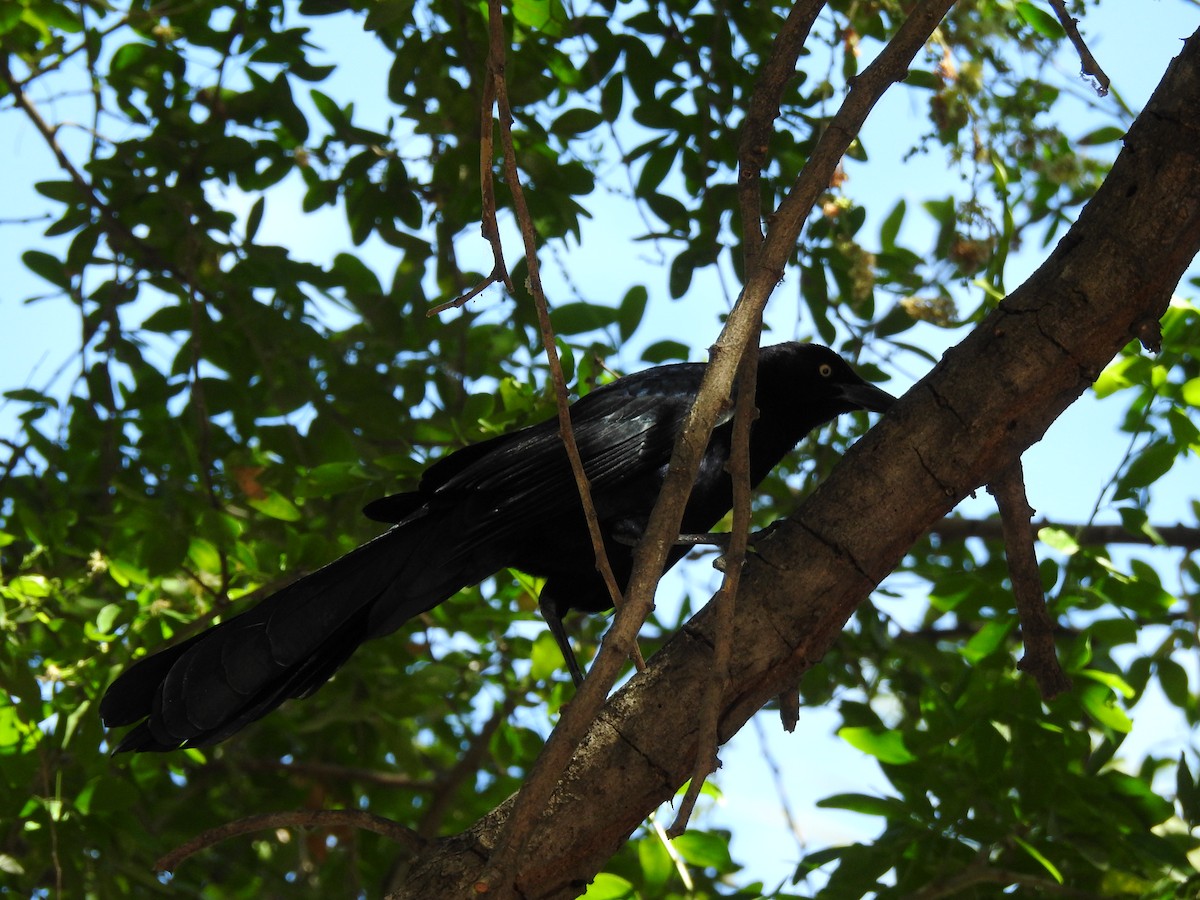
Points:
(1037, 628)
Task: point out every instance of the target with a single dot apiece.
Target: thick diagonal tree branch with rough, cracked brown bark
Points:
(1107, 283)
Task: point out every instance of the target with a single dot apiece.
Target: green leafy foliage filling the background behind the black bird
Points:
(238, 388)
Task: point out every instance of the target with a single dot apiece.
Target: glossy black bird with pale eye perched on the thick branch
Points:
(507, 502)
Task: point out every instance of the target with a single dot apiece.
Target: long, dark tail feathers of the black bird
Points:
(209, 687)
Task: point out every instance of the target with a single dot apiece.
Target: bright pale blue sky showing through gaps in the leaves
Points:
(1133, 43)
